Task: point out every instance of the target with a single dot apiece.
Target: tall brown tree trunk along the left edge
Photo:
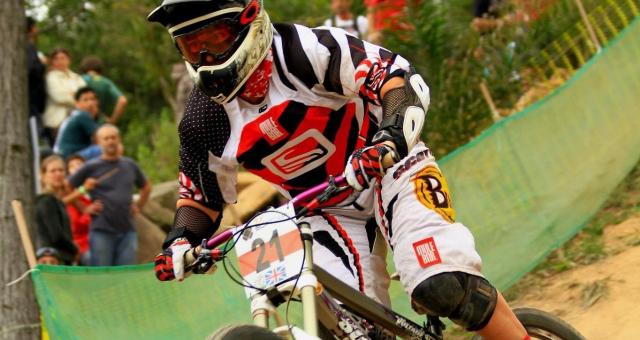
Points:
(18, 309)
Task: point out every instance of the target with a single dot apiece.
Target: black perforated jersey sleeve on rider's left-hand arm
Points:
(203, 129)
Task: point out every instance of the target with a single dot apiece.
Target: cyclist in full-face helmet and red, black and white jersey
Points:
(295, 105)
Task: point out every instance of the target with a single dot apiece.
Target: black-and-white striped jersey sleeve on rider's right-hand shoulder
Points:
(341, 63)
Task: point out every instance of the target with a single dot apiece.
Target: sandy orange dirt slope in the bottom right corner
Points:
(601, 300)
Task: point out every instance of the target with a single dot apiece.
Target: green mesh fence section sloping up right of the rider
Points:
(533, 180)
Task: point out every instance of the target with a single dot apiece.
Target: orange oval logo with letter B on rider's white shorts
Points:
(433, 192)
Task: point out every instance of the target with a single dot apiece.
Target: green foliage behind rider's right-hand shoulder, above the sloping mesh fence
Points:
(454, 60)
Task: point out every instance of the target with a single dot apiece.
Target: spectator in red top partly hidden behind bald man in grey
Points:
(80, 211)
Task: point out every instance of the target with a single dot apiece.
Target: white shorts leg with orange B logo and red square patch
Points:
(415, 215)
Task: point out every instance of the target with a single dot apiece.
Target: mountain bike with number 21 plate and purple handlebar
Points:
(275, 256)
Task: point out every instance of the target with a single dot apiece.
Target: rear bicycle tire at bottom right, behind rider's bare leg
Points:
(542, 325)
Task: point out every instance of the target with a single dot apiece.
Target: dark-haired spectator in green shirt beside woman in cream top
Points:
(110, 97)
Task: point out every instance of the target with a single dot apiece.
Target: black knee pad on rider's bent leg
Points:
(466, 299)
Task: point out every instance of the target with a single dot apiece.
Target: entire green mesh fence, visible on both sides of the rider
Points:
(524, 187)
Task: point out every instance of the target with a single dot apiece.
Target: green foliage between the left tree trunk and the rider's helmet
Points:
(137, 55)
